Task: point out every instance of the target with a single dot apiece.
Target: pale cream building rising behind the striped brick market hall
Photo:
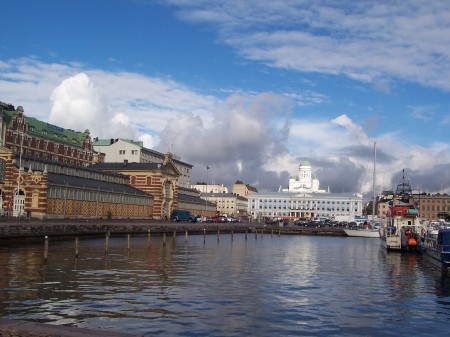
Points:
(118, 150)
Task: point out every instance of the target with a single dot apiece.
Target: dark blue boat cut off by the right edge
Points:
(435, 246)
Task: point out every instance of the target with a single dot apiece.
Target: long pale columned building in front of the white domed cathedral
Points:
(336, 206)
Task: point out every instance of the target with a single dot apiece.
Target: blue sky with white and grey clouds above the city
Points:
(247, 88)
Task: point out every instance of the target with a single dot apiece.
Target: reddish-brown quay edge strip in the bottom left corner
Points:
(19, 328)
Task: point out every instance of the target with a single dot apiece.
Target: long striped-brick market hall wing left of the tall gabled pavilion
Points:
(46, 189)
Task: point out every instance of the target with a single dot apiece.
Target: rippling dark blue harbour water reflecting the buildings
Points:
(255, 285)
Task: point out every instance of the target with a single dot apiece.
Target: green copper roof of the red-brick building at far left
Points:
(48, 131)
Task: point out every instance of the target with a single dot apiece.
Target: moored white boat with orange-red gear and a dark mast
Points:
(403, 229)
